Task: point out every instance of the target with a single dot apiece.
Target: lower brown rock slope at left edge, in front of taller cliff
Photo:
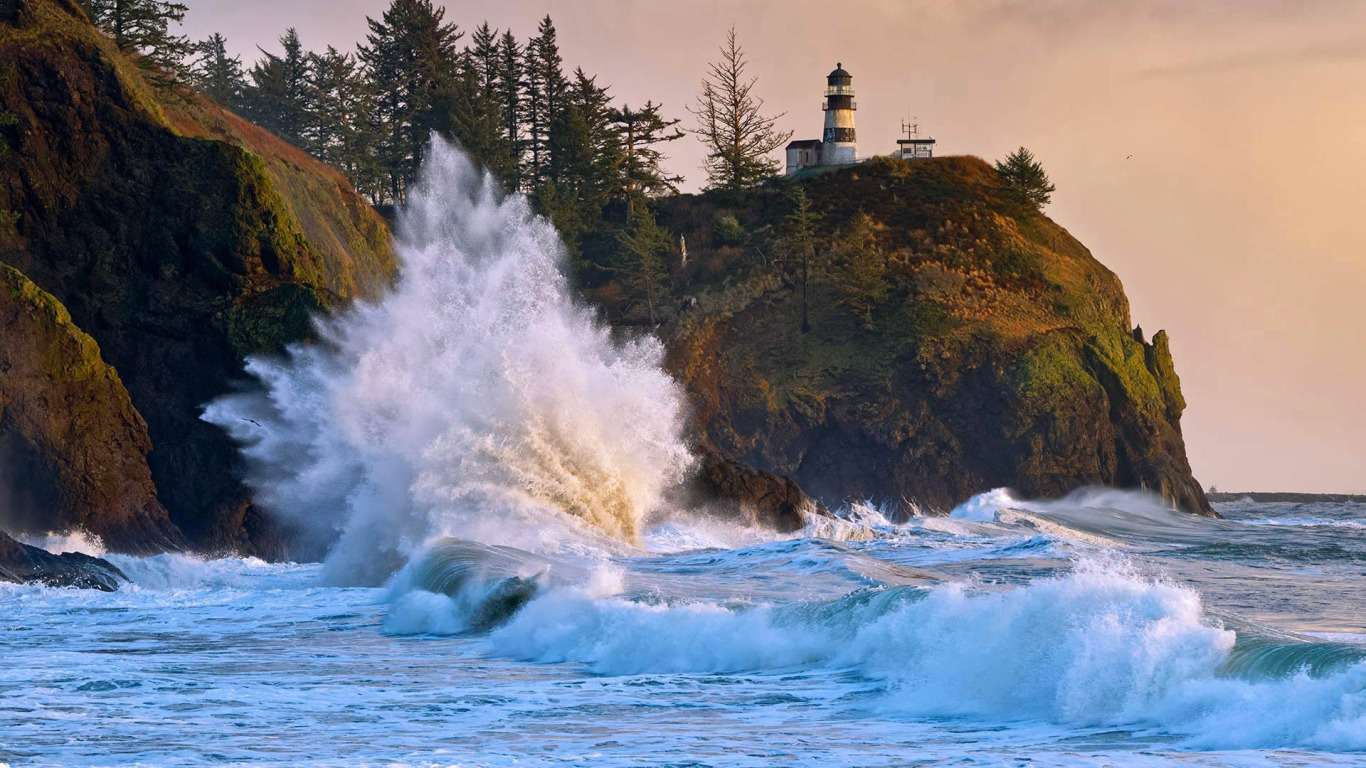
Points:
(74, 448)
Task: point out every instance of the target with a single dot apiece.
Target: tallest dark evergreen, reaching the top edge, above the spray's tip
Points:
(409, 58)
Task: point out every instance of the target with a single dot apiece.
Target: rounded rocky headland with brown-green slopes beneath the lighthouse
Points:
(1002, 353)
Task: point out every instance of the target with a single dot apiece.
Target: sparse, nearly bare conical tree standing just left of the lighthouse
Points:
(731, 124)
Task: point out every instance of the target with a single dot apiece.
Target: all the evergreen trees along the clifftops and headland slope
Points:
(585, 162)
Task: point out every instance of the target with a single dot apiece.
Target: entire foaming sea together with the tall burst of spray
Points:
(512, 579)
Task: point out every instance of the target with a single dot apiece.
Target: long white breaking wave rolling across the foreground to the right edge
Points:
(1099, 647)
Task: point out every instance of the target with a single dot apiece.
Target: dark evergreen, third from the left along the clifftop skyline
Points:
(278, 98)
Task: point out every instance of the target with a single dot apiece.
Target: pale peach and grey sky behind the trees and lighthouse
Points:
(1238, 225)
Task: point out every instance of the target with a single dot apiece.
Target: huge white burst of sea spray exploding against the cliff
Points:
(475, 401)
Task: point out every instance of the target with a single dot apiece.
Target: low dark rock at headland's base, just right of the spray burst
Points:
(762, 498)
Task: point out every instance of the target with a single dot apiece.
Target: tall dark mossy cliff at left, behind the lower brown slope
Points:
(180, 238)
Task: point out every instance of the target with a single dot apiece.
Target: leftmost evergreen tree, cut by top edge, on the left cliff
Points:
(144, 28)
